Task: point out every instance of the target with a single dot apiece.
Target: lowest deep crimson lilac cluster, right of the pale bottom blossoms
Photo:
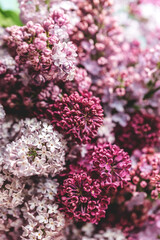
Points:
(81, 197)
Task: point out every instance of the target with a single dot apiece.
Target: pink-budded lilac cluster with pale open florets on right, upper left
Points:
(43, 49)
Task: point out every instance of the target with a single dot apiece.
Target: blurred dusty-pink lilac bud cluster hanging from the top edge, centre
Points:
(96, 35)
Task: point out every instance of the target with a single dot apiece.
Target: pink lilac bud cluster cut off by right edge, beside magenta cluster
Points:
(146, 174)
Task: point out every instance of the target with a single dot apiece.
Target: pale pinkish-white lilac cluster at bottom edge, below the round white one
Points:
(42, 217)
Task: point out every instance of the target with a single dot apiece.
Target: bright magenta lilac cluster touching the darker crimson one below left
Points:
(110, 162)
